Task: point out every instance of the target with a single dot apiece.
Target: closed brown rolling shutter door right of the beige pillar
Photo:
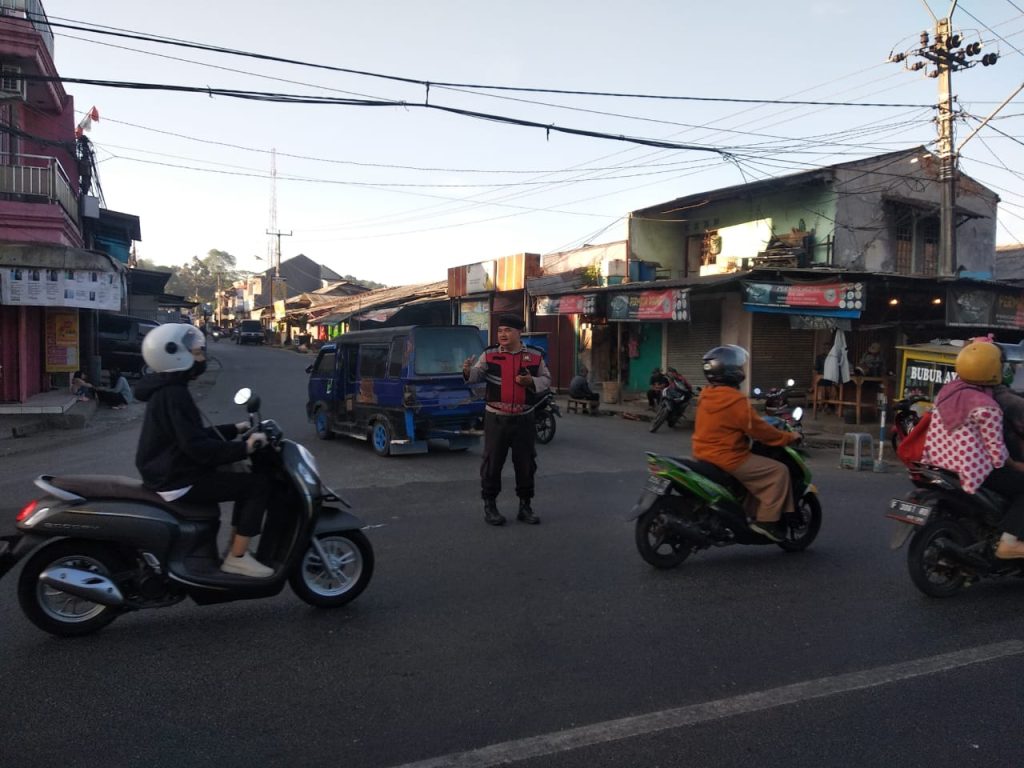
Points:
(779, 353)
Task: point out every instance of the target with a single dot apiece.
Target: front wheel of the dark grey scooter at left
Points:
(352, 557)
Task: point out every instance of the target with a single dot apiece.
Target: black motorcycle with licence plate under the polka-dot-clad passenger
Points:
(953, 534)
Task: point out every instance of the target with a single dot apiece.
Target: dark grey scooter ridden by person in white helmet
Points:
(103, 545)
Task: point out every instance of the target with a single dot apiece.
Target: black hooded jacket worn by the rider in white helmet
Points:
(176, 449)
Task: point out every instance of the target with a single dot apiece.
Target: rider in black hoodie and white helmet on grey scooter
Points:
(179, 458)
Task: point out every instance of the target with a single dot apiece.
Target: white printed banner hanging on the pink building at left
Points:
(90, 289)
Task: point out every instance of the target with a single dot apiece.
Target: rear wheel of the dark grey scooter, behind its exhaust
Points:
(59, 613)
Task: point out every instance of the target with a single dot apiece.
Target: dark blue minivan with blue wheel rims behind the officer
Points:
(398, 388)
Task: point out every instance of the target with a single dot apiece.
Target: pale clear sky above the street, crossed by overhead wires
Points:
(399, 194)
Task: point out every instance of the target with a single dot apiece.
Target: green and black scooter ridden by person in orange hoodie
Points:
(690, 505)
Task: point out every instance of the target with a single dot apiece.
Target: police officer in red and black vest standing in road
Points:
(516, 376)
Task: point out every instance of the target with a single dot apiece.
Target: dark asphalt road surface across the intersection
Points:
(549, 646)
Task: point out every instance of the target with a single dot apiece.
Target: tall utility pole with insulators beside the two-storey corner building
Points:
(945, 50)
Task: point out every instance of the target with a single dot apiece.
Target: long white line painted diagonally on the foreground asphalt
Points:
(616, 731)
